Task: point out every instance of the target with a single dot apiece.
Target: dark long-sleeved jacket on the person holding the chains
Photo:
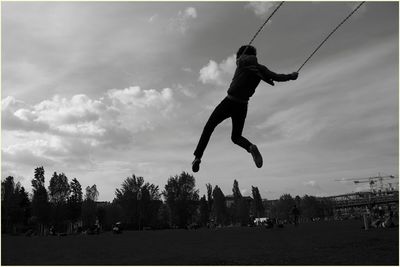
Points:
(248, 75)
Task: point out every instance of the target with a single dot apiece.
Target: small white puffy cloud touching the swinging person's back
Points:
(218, 73)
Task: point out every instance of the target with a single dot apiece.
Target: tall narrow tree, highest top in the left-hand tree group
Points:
(40, 200)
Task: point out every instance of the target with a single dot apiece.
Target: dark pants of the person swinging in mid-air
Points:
(227, 108)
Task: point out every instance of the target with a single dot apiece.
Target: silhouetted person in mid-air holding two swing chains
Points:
(247, 77)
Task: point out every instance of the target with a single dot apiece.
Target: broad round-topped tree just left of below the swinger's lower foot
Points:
(181, 197)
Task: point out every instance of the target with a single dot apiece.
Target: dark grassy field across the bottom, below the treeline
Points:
(323, 243)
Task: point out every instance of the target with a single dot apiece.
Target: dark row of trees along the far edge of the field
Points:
(139, 204)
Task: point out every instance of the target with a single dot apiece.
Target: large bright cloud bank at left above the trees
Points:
(69, 130)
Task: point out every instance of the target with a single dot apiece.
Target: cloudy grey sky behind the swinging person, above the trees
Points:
(104, 90)
